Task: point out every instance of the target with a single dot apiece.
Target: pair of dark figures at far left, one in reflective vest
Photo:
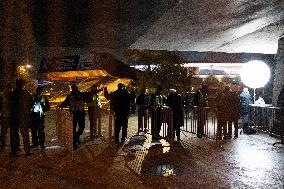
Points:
(26, 111)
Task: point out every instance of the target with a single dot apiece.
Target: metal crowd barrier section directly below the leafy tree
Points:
(157, 121)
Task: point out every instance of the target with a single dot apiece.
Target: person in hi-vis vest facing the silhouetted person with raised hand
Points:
(92, 100)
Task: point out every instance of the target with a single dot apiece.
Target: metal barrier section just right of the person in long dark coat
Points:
(202, 119)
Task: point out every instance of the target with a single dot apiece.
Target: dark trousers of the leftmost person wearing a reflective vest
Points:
(37, 130)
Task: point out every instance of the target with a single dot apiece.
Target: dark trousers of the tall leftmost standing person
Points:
(15, 138)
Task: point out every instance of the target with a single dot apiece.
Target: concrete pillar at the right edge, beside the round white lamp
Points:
(279, 71)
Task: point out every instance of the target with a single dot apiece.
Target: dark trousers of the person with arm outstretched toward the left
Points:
(78, 120)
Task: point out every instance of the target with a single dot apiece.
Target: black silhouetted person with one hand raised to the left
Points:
(120, 104)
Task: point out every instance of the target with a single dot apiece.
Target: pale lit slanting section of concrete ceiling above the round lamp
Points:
(233, 26)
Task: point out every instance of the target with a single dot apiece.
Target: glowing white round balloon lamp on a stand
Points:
(255, 74)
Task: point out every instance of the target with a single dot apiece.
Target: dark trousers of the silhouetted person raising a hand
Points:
(121, 122)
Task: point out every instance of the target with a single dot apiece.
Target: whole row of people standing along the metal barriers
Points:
(28, 112)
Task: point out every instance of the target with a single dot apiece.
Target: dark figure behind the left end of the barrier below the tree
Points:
(142, 102)
